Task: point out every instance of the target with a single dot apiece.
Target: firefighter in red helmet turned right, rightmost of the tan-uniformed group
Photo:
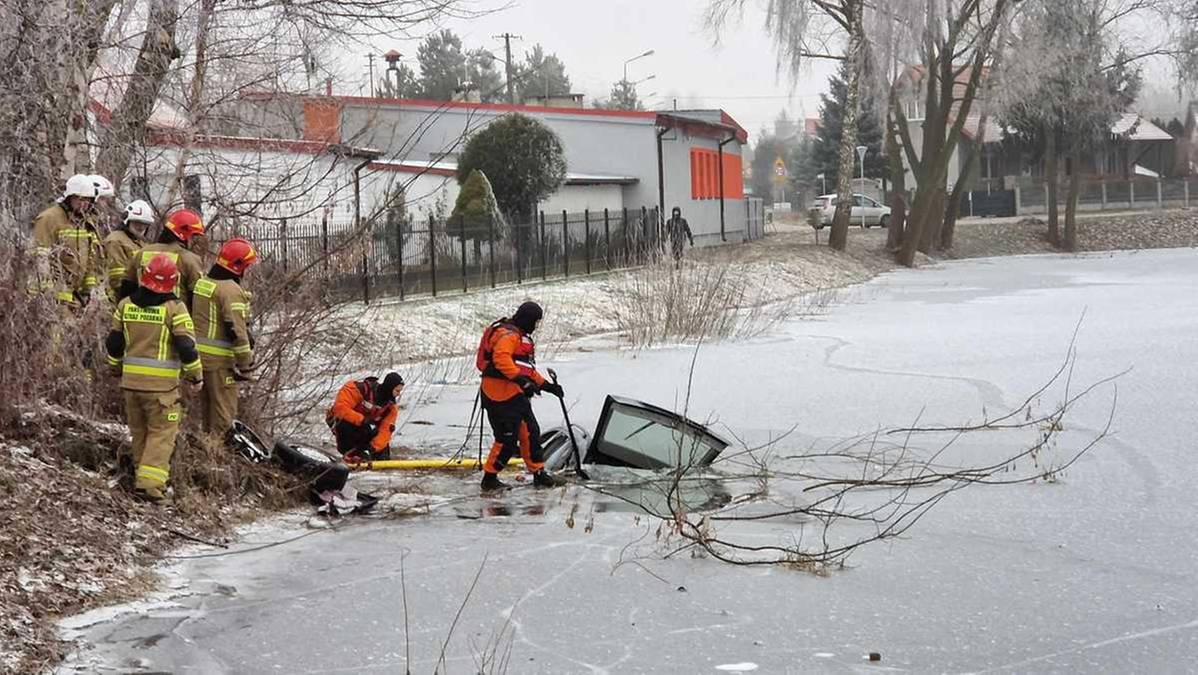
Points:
(221, 311)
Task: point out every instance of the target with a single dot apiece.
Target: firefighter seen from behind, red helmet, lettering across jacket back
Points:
(152, 345)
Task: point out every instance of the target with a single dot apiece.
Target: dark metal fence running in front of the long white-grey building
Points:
(404, 258)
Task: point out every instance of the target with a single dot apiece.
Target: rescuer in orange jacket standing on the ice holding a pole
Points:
(509, 361)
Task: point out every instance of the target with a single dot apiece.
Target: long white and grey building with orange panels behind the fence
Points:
(294, 156)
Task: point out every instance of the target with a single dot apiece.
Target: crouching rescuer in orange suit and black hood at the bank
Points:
(364, 418)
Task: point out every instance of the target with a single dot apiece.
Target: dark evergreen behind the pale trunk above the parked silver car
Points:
(869, 132)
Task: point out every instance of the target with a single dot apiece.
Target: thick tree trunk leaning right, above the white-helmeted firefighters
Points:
(128, 126)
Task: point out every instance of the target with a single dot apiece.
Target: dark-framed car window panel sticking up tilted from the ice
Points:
(632, 433)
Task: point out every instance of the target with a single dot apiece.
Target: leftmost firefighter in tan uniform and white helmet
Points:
(68, 245)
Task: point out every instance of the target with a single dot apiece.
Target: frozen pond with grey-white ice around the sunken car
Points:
(1096, 574)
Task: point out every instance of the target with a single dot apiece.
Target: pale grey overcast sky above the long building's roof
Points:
(594, 40)
